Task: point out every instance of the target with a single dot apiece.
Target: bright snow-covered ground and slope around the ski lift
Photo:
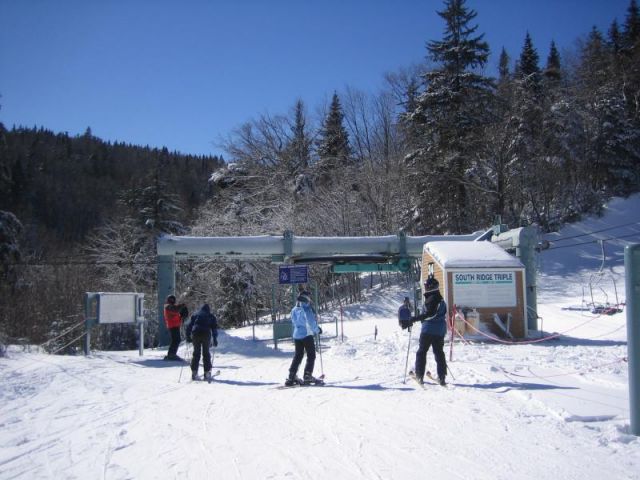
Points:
(551, 409)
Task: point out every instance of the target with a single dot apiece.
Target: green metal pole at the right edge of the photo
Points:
(632, 285)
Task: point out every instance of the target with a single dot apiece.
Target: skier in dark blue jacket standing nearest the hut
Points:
(434, 327)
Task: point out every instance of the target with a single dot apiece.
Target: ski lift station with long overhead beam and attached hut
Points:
(387, 253)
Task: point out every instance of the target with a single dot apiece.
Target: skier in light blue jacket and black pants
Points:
(305, 326)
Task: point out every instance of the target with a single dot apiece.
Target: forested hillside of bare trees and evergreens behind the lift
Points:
(446, 147)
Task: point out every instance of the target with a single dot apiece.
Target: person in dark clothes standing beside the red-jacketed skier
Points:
(201, 330)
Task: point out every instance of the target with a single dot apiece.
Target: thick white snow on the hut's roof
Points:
(471, 255)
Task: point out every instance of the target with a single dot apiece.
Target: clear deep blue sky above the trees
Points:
(183, 74)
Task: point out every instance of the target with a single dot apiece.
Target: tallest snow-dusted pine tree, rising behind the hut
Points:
(450, 113)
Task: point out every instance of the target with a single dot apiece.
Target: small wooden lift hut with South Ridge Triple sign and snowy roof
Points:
(480, 276)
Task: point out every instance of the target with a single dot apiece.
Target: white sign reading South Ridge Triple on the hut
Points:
(480, 288)
